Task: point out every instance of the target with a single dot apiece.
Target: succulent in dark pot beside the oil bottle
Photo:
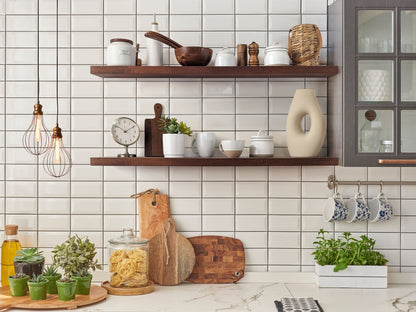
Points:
(29, 261)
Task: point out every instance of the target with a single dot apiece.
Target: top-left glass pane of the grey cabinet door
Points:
(375, 31)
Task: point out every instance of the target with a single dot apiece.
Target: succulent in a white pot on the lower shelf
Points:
(174, 132)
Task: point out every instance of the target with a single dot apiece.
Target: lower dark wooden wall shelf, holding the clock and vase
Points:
(213, 161)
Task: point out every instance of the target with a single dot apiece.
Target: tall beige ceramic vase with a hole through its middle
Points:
(303, 144)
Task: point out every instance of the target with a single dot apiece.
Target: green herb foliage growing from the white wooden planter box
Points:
(346, 250)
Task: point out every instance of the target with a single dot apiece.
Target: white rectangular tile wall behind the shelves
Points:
(275, 211)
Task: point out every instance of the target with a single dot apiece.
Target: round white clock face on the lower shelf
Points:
(125, 131)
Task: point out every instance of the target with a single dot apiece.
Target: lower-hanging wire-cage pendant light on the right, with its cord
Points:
(57, 161)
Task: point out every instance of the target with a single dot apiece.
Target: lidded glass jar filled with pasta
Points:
(128, 260)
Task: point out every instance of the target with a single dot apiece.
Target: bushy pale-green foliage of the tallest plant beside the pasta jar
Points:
(74, 255)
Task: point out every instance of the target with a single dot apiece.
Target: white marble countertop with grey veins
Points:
(259, 297)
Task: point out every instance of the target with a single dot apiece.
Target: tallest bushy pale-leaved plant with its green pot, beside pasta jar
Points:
(76, 256)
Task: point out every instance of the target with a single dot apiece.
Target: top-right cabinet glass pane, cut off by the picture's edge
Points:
(408, 31)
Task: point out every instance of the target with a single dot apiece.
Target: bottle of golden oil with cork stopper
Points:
(8, 251)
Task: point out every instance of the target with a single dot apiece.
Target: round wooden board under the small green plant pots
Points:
(97, 294)
